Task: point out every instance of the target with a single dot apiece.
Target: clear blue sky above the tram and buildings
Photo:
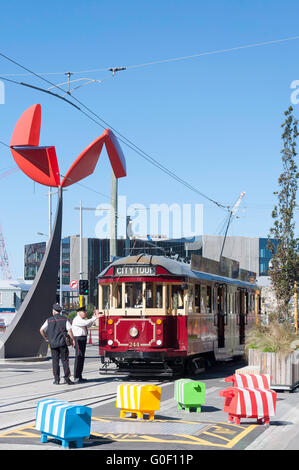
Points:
(213, 120)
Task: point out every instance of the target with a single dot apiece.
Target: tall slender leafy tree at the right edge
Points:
(285, 261)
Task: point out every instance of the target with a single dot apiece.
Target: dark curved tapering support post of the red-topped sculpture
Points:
(22, 337)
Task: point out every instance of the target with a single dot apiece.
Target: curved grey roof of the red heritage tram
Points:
(175, 267)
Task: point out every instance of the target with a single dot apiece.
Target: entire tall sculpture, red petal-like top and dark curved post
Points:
(22, 338)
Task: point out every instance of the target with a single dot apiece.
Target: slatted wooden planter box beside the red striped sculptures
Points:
(284, 369)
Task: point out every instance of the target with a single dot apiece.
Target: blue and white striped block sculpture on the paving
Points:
(64, 421)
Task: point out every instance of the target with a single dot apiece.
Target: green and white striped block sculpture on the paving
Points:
(189, 394)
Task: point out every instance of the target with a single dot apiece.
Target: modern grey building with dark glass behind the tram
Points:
(250, 253)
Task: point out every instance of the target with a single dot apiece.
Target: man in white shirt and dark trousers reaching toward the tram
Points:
(80, 327)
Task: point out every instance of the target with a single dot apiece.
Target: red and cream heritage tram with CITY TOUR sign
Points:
(163, 318)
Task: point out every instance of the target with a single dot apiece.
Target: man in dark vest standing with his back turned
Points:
(54, 331)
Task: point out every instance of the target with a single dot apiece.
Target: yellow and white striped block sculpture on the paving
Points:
(138, 400)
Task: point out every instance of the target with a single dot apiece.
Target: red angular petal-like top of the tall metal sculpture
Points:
(40, 163)
